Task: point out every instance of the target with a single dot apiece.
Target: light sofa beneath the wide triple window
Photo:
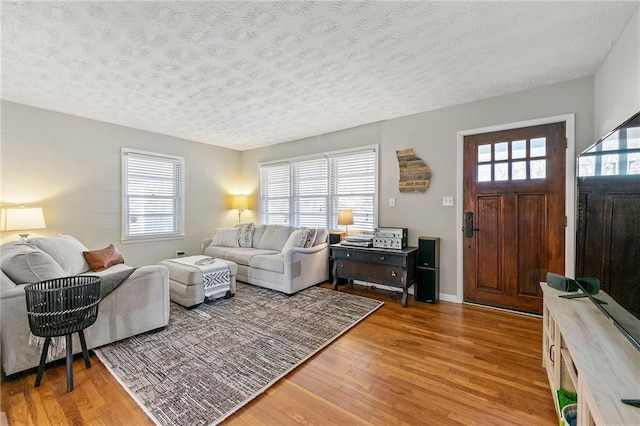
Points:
(278, 257)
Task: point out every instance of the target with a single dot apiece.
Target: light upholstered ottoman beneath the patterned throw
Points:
(186, 284)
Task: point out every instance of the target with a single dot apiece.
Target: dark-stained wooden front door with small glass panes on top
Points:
(514, 215)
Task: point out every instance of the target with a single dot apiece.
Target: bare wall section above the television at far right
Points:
(617, 82)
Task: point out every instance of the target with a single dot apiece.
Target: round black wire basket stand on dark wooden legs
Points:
(61, 307)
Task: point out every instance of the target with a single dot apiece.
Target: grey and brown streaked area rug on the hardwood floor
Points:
(212, 360)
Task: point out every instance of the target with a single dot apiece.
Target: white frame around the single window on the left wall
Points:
(179, 182)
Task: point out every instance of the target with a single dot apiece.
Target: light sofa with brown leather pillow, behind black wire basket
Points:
(139, 304)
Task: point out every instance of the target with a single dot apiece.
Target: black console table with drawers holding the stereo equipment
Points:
(392, 267)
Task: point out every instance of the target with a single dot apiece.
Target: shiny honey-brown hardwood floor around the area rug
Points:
(424, 364)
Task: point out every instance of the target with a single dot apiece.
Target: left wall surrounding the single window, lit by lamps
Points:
(71, 167)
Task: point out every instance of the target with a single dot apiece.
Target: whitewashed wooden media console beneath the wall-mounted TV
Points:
(584, 353)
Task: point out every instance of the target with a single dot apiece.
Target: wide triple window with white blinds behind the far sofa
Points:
(311, 191)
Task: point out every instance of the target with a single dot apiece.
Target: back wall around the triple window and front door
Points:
(432, 135)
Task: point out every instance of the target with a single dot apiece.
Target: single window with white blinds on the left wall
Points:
(153, 200)
